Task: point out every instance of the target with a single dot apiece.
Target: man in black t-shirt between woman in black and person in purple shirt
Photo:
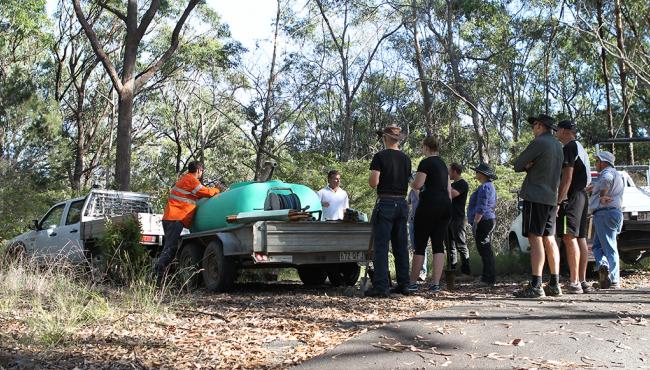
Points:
(456, 234)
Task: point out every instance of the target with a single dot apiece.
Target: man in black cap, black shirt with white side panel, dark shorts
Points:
(573, 204)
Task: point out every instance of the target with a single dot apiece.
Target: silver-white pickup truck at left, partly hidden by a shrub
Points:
(70, 228)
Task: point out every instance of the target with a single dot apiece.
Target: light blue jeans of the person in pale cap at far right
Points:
(607, 224)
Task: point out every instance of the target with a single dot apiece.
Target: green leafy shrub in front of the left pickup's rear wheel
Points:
(123, 259)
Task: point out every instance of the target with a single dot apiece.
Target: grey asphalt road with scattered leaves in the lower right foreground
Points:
(606, 329)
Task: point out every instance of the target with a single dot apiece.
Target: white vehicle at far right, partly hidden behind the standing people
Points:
(633, 241)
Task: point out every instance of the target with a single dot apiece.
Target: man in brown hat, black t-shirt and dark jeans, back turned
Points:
(390, 170)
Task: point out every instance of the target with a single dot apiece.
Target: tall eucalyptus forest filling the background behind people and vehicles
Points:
(128, 96)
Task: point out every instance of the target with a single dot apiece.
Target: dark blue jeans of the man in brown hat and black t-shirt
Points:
(389, 225)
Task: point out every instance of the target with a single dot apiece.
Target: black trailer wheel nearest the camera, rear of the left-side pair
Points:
(219, 271)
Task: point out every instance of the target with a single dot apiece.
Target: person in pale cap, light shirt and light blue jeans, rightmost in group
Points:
(605, 206)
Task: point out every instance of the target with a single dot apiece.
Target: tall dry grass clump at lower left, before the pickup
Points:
(50, 302)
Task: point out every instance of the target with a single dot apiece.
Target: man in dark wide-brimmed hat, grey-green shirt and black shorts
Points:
(542, 161)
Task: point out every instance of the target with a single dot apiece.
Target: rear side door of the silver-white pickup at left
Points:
(68, 240)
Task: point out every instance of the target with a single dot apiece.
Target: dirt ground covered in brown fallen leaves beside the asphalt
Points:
(272, 325)
